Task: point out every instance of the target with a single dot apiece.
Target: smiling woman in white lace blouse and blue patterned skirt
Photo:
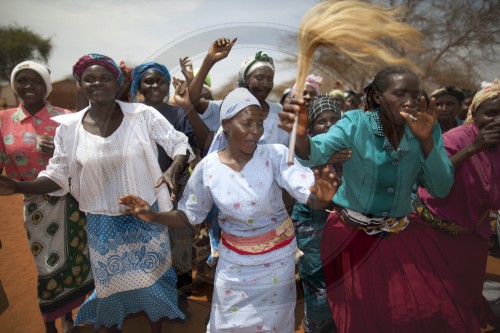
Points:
(101, 153)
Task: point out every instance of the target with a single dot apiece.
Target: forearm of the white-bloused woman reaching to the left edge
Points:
(41, 185)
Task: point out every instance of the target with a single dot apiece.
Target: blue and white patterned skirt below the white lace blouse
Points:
(132, 271)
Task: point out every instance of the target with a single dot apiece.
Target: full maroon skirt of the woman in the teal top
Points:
(406, 282)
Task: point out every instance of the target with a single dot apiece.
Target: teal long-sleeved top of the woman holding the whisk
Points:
(377, 180)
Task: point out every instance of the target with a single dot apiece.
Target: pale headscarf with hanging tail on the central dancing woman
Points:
(233, 103)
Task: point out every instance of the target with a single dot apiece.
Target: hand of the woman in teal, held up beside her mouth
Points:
(422, 123)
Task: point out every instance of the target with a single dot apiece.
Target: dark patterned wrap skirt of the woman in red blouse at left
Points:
(56, 233)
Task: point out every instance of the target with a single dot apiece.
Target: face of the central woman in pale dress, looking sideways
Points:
(245, 129)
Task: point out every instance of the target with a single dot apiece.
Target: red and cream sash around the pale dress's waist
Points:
(270, 241)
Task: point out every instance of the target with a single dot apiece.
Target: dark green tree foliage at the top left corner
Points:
(18, 44)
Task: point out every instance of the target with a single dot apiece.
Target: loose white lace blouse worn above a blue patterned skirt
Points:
(98, 171)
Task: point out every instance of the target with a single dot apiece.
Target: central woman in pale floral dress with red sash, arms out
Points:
(254, 288)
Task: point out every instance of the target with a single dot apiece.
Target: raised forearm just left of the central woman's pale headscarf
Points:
(202, 133)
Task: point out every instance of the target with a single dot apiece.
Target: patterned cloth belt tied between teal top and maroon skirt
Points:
(372, 225)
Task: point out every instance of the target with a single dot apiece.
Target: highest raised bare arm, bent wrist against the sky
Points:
(218, 51)
